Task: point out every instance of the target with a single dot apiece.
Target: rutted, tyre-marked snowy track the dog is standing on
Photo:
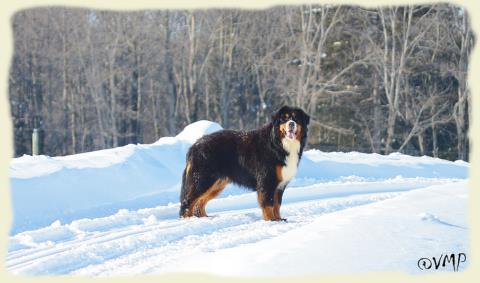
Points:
(152, 240)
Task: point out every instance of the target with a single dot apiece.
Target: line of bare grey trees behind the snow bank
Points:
(378, 80)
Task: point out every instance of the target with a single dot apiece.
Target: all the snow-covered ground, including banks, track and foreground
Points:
(115, 212)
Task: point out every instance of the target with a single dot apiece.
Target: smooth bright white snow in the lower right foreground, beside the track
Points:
(362, 234)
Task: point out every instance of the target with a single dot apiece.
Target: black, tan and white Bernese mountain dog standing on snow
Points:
(262, 160)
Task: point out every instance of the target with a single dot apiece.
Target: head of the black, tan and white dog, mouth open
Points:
(291, 123)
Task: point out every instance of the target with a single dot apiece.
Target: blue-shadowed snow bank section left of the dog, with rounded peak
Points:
(45, 189)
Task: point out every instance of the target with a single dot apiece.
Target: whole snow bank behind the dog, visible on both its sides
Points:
(95, 184)
